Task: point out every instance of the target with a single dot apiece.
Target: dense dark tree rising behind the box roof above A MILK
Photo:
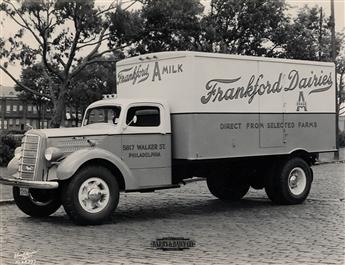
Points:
(170, 25)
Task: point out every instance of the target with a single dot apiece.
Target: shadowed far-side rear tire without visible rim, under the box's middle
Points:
(226, 188)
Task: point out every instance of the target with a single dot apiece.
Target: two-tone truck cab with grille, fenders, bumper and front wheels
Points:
(121, 141)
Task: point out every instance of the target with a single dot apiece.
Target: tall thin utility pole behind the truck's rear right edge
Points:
(332, 20)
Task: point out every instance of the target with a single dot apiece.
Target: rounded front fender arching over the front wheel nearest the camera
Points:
(74, 161)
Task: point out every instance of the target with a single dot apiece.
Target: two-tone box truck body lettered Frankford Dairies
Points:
(226, 106)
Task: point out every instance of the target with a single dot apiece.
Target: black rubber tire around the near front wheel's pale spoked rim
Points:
(70, 199)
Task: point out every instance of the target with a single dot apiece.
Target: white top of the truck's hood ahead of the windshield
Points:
(89, 130)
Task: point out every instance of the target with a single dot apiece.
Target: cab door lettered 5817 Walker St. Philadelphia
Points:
(146, 144)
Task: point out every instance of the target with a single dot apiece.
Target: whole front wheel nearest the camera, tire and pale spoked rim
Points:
(91, 195)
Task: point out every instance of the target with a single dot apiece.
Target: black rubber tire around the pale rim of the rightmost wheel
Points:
(277, 188)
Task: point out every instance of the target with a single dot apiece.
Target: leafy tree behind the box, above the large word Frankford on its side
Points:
(251, 27)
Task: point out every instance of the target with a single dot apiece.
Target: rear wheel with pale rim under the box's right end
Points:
(289, 182)
